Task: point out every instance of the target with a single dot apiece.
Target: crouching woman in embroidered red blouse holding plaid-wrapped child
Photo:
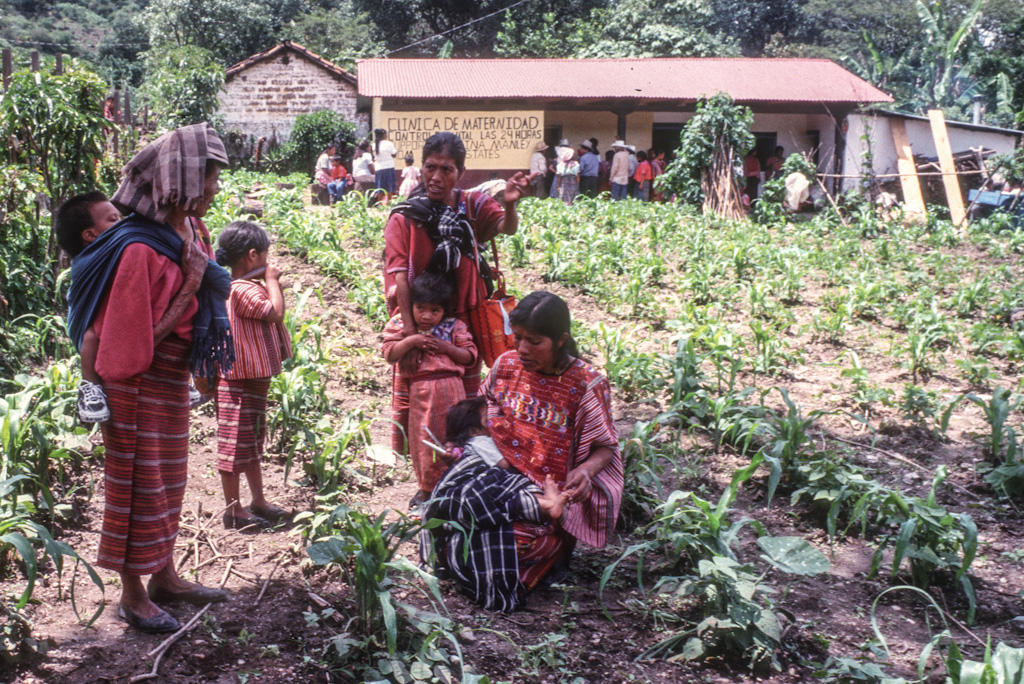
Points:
(549, 415)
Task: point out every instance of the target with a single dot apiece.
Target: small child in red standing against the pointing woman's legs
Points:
(435, 361)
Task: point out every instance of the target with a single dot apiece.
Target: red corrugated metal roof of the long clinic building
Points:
(746, 79)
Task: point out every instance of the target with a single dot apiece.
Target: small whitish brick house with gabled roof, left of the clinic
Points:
(266, 93)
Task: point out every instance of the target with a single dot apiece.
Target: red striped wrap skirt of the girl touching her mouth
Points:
(241, 423)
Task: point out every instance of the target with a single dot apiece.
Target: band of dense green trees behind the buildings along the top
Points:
(925, 53)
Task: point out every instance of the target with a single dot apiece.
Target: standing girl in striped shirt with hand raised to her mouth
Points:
(257, 310)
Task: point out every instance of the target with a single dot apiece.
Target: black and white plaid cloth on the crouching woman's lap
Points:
(477, 545)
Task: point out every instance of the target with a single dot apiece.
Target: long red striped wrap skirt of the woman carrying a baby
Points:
(147, 463)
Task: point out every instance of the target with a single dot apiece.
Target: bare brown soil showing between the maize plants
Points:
(269, 639)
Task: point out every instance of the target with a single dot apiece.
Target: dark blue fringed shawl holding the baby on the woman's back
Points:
(94, 270)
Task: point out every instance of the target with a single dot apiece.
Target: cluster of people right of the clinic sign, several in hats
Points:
(566, 173)
